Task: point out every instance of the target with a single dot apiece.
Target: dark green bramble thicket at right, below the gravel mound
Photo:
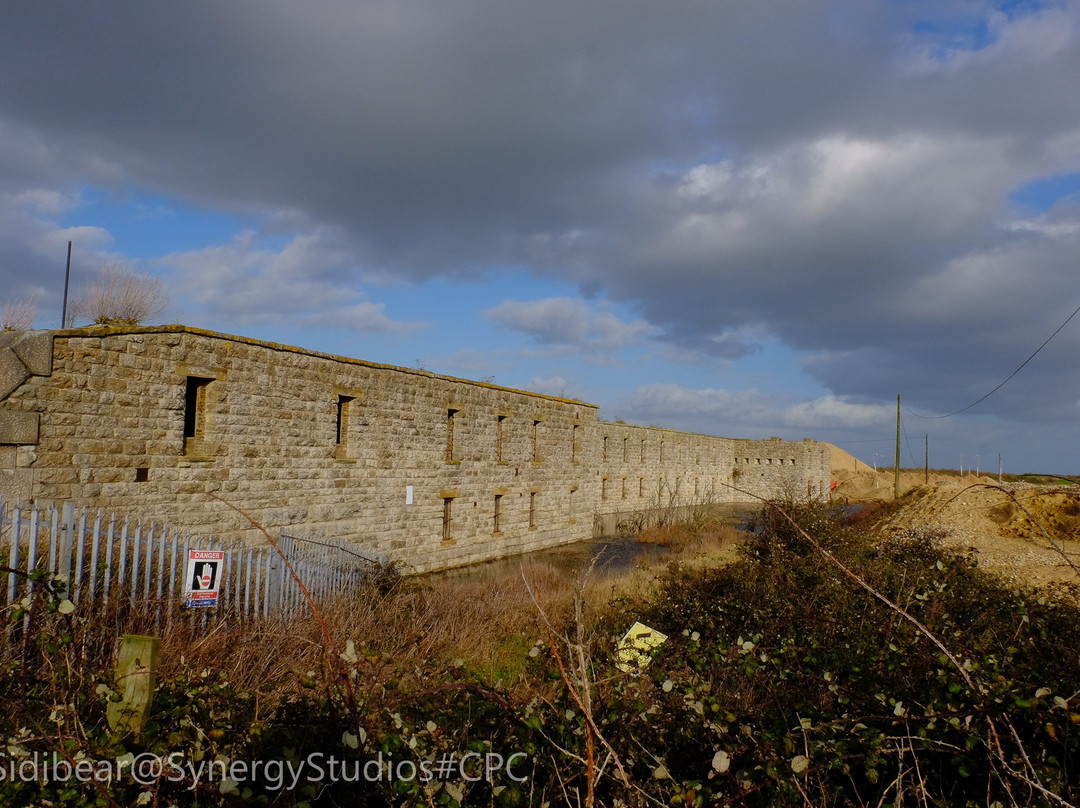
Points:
(805, 685)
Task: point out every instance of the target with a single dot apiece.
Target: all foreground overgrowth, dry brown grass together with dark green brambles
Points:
(825, 668)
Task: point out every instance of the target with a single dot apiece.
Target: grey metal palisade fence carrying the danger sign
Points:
(102, 559)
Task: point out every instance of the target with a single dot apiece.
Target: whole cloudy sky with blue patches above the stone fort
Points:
(744, 219)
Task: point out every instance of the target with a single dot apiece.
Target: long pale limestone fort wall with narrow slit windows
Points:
(159, 423)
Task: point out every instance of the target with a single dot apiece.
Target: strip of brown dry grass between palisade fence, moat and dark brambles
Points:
(485, 624)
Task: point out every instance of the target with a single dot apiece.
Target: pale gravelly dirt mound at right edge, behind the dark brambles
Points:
(1022, 532)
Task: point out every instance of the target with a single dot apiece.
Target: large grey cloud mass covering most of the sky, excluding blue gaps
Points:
(809, 171)
